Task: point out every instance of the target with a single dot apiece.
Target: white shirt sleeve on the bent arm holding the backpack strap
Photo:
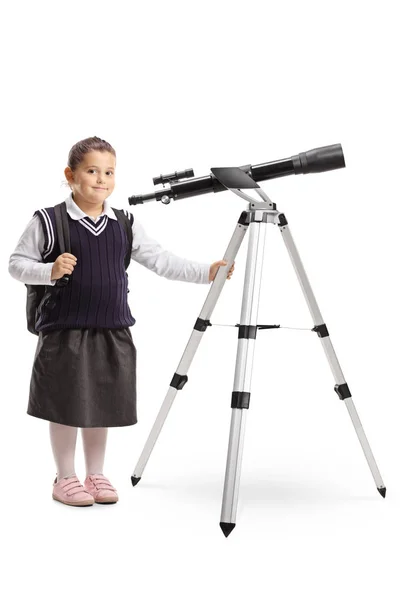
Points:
(26, 262)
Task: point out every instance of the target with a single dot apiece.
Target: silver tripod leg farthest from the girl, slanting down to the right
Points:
(341, 387)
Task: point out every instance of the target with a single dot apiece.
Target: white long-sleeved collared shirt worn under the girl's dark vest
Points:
(26, 262)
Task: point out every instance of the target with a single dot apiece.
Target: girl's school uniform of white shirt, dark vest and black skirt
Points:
(84, 369)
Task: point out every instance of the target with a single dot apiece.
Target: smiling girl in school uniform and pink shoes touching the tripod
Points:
(84, 370)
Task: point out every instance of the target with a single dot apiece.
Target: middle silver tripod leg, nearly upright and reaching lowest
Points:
(243, 372)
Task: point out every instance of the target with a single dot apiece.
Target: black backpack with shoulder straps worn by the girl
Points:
(39, 296)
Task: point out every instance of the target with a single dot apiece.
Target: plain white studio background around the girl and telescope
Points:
(173, 85)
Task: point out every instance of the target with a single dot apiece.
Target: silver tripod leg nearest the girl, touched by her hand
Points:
(180, 378)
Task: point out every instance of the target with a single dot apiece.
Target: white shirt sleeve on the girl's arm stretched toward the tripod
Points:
(149, 253)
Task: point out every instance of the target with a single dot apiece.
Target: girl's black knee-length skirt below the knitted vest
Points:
(84, 378)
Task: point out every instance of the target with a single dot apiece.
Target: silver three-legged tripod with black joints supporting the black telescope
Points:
(259, 214)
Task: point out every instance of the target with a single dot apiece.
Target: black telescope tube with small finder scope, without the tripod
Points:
(179, 186)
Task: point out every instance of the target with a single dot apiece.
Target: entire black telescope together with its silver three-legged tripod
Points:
(260, 213)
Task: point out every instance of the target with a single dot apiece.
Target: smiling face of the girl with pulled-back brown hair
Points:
(94, 178)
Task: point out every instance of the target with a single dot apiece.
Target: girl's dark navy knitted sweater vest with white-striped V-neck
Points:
(96, 295)
